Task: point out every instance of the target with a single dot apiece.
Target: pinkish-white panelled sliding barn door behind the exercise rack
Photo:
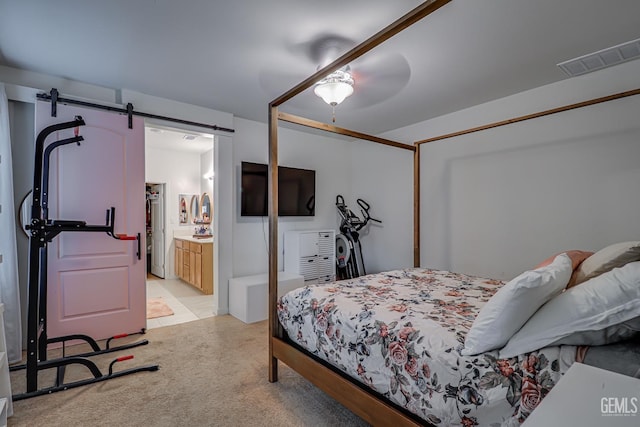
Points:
(96, 284)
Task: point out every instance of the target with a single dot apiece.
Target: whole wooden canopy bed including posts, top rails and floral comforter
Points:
(419, 337)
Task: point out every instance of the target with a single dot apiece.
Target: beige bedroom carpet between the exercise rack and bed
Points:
(213, 372)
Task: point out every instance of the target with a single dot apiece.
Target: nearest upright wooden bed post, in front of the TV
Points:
(273, 239)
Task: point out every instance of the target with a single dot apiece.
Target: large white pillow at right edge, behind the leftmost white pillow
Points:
(595, 306)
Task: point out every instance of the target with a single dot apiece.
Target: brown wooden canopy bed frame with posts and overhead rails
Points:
(369, 406)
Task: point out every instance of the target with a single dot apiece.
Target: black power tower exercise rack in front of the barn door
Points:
(42, 231)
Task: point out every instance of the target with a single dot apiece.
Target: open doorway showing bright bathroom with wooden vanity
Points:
(179, 211)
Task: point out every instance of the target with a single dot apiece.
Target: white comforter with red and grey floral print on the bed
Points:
(401, 332)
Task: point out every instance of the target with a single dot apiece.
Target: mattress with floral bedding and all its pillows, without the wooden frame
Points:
(454, 349)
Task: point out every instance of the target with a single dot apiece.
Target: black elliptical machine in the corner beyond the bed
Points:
(350, 263)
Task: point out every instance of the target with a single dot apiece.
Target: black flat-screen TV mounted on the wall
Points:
(296, 190)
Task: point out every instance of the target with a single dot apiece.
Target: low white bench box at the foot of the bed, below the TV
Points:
(249, 295)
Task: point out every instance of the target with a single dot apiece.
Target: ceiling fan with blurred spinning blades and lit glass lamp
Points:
(371, 79)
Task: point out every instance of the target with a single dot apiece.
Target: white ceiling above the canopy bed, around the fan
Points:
(236, 56)
